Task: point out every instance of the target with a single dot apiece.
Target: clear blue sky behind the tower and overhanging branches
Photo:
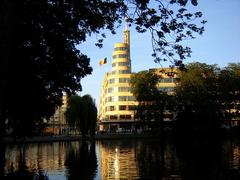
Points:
(219, 44)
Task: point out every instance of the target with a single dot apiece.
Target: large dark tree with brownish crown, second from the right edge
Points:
(197, 99)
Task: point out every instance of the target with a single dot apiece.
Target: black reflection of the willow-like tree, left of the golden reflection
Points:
(81, 162)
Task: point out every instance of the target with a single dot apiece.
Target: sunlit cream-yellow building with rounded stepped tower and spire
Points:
(117, 103)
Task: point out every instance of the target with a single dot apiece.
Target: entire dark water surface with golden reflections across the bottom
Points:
(122, 159)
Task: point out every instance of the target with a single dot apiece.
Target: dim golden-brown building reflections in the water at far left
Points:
(49, 156)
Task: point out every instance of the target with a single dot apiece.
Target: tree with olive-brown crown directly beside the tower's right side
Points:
(152, 101)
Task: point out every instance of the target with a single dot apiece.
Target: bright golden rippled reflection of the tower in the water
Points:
(117, 163)
